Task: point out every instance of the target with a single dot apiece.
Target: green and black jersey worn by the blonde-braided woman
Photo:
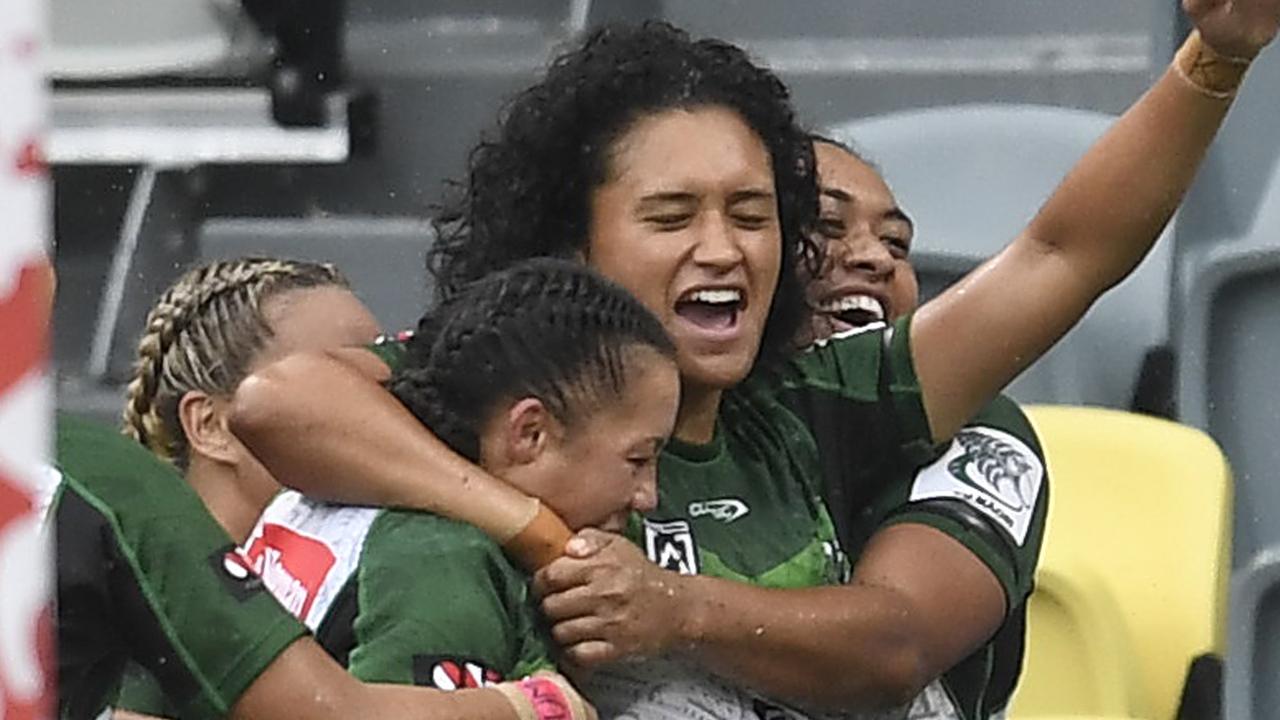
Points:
(147, 576)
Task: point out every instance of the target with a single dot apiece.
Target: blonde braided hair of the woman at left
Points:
(203, 335)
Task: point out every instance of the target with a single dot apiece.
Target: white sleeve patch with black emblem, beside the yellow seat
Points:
(993, 472)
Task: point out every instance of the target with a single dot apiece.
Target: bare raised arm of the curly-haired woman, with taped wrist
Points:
(1096, 227)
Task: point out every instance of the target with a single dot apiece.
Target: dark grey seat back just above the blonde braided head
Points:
(383, 258)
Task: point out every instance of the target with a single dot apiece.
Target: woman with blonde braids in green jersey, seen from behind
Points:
(148, 569)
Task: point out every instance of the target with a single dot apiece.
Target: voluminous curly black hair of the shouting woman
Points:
(529, 189)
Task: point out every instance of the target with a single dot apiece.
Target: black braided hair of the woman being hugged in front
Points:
(543, 329)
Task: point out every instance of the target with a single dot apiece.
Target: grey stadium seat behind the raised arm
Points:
(972, 176)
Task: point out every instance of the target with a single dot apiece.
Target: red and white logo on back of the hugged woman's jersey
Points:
(292, 566)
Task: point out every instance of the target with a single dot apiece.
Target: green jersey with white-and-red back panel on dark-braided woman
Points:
(401, 598)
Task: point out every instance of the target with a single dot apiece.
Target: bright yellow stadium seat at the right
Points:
(1132, 581)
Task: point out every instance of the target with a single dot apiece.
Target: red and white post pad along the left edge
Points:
(26, 397)
